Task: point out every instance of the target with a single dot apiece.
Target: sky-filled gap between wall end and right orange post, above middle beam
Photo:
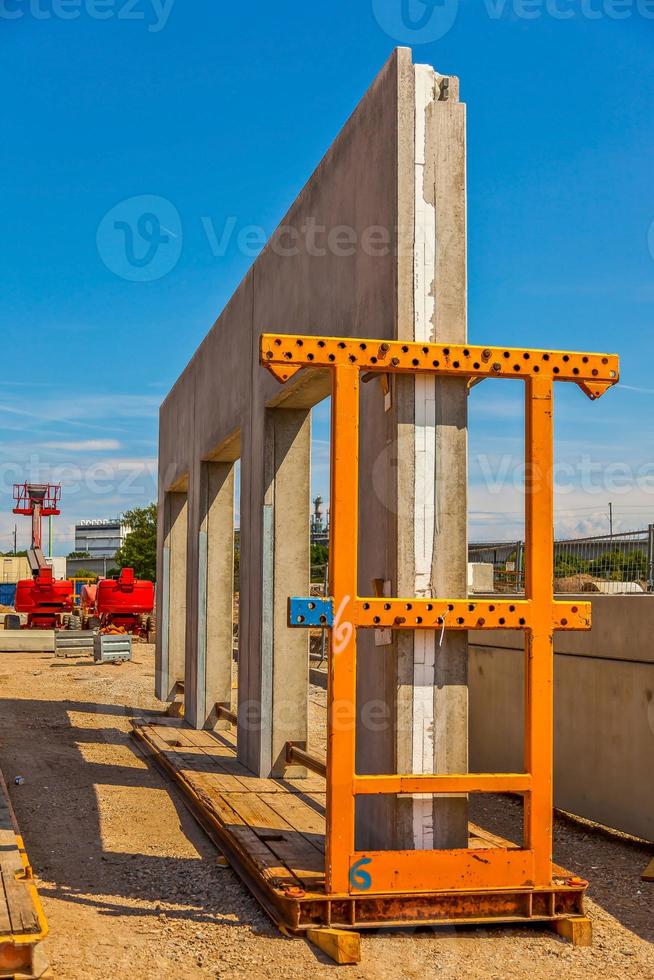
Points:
(496, 510)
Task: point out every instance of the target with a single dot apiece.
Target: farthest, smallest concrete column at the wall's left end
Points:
(172, 593)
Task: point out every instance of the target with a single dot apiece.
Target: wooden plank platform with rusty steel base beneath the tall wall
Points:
(273, 833)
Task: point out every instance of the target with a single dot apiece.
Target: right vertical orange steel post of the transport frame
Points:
(539, 672)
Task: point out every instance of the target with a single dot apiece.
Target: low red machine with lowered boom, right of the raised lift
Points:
(125, 603)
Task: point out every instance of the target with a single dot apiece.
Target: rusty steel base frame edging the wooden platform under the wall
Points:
(296, 911)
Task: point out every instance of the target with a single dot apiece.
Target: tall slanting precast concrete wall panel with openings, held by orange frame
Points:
(342, 263)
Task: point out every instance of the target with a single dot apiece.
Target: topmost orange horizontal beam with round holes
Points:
(285, 355)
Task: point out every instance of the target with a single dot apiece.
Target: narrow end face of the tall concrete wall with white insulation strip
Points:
(432, 421)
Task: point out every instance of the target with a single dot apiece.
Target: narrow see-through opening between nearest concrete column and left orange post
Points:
(319, 585)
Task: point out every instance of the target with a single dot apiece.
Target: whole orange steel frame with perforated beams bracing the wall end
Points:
(349, 872)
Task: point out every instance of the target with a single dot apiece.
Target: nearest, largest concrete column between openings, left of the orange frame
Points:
(273, 691)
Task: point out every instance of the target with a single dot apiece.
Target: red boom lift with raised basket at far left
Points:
(44, 599)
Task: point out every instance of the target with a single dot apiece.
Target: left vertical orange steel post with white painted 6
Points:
(341, 692)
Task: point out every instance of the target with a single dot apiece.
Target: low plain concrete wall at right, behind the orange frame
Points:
(604, 712)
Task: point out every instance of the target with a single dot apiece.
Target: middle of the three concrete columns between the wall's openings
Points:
(210, 682)
